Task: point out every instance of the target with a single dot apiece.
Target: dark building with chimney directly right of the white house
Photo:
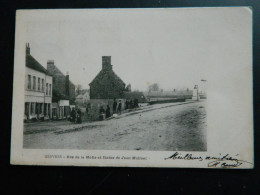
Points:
(63, 92)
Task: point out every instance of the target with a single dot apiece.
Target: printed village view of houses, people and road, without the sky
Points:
(109, 115)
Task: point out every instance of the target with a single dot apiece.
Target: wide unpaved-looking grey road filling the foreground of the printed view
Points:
(179, 127)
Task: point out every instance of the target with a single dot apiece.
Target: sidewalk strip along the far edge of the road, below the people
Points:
(65, 126)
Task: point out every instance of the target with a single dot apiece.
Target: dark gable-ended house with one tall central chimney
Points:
(106, 85)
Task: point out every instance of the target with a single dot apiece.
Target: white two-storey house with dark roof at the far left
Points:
(38, 89)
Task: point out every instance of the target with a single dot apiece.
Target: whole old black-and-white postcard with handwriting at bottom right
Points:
(168, 87)
